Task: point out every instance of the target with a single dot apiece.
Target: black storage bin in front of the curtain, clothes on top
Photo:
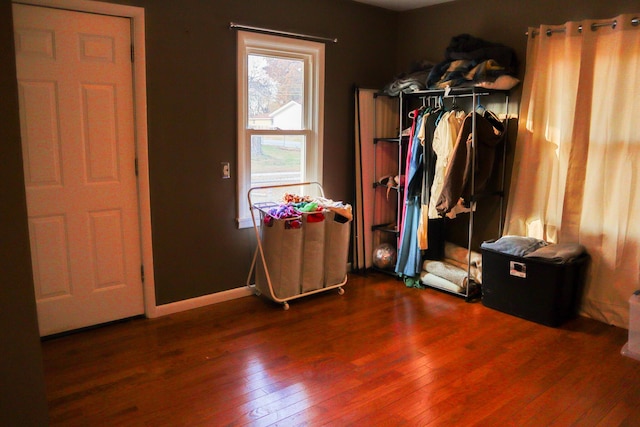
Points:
(535, 289)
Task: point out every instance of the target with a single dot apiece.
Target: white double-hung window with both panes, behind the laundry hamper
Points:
(280, 106)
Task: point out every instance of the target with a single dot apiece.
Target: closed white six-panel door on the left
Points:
(76, 110)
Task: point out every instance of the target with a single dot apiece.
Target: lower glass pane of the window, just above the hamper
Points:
(276, 159)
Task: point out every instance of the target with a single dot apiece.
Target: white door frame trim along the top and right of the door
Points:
(136, 15)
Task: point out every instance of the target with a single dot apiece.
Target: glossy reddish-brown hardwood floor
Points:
(381, 354)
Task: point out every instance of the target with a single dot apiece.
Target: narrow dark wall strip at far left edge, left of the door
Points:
(22, 398)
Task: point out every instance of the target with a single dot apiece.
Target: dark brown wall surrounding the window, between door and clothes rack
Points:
(191, 84)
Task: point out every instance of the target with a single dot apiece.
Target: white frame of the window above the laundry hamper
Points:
(312, 53)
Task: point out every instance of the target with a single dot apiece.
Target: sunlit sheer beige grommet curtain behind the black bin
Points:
(577, 162)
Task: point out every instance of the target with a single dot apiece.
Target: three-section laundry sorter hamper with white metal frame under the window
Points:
(298, 255)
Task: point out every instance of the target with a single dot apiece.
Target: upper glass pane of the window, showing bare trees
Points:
(276, 93)
